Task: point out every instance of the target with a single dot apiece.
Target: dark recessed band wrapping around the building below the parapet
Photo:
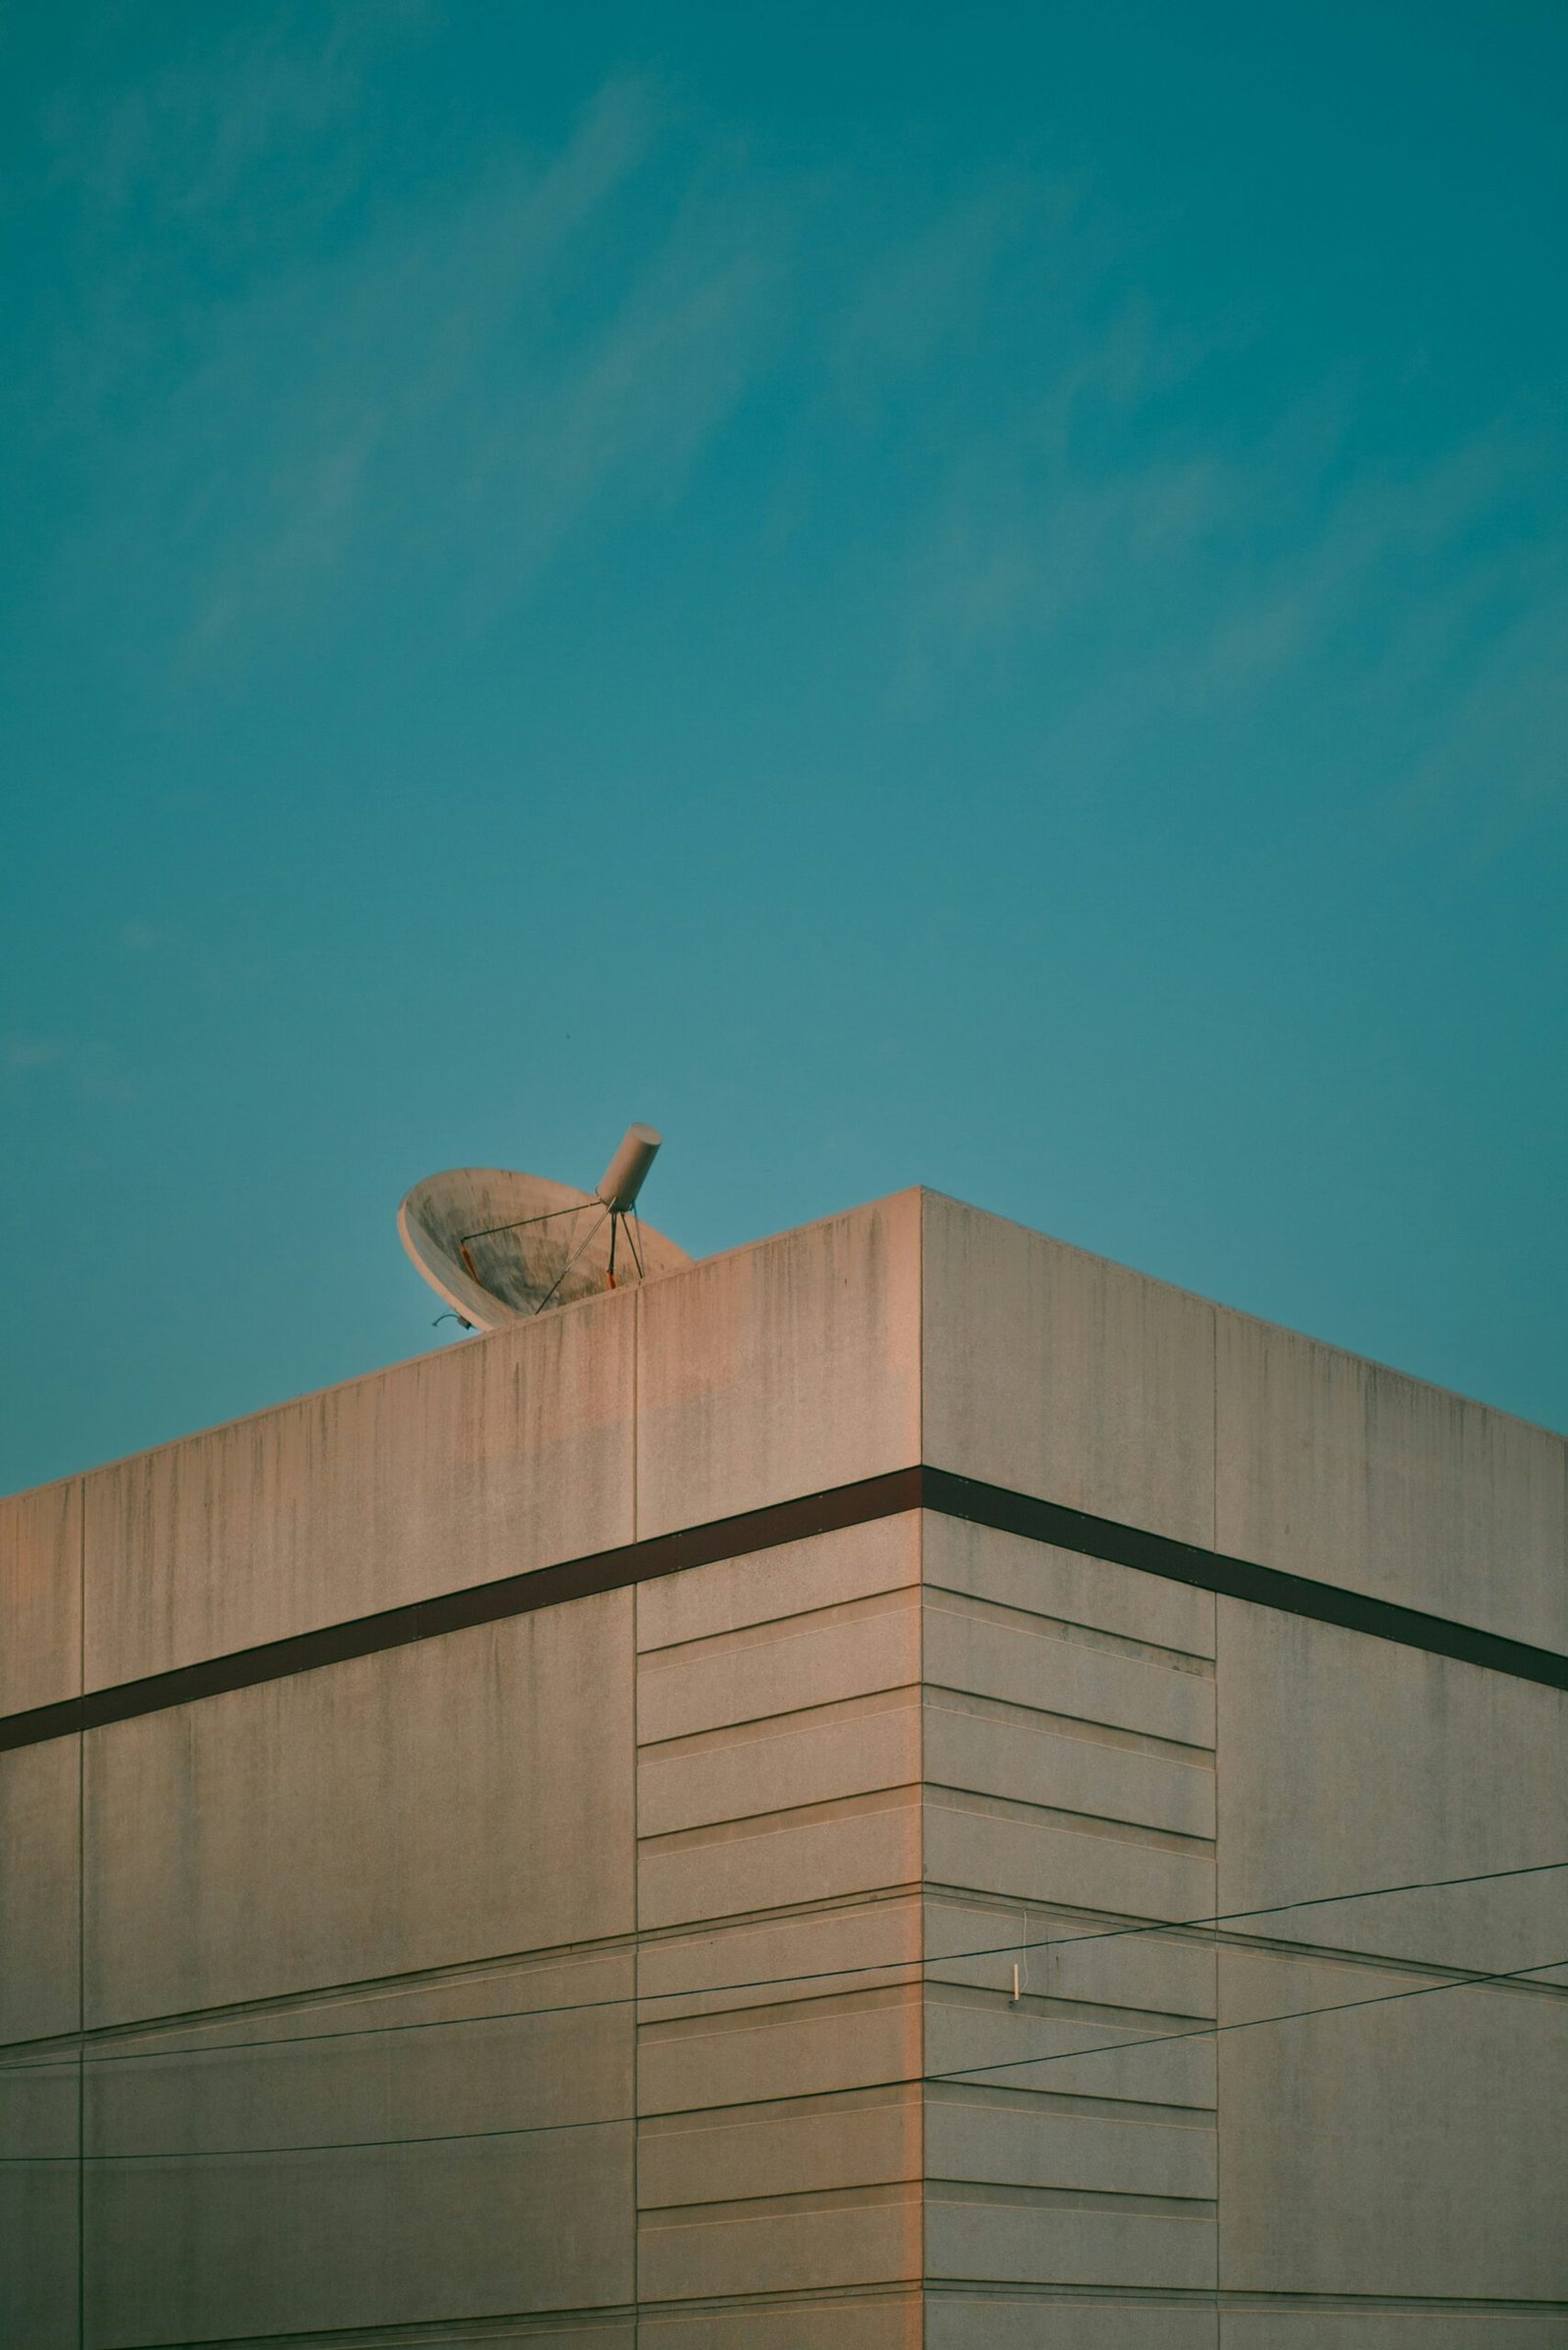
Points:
(763, 1531)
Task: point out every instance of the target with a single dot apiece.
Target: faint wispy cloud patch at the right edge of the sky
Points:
(1188, 572)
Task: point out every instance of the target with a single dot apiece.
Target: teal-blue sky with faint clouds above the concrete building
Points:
(906, 593)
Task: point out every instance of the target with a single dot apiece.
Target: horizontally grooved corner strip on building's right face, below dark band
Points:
(1071, 1792)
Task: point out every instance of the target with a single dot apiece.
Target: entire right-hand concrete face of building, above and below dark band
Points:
(1106, 1750)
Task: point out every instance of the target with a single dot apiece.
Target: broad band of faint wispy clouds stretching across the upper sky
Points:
(542, 344)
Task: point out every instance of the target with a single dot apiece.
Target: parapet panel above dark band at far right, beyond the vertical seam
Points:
(1360, 1477)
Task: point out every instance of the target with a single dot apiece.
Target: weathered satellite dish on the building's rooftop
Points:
(504, 1247)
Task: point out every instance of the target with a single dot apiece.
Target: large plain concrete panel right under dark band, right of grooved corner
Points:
(1355, 1764)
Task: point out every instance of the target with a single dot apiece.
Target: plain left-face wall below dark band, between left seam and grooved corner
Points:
(295, 1898)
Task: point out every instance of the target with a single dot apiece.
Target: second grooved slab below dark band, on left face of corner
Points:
(775, 1670)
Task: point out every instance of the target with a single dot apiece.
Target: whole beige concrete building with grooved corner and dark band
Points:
(697, 1822)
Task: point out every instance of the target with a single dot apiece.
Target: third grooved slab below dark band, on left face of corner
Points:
(744, 1771)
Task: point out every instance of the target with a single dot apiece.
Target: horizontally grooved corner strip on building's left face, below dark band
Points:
(779, 1905)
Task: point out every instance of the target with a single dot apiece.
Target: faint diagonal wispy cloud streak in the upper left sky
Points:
(474, 375)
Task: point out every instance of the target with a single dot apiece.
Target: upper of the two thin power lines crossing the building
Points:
(770, 1982)
